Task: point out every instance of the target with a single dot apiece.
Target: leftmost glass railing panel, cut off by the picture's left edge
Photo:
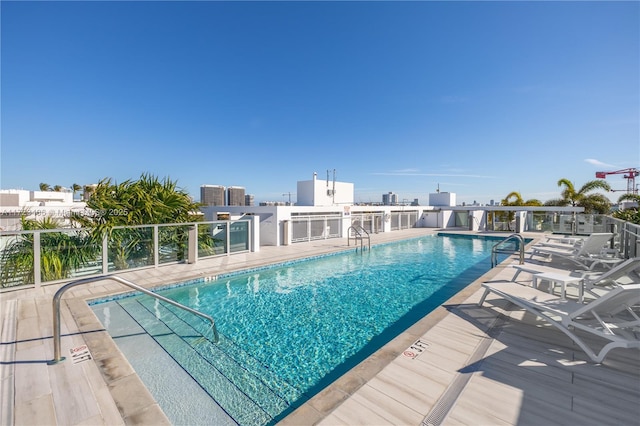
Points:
(16, 260)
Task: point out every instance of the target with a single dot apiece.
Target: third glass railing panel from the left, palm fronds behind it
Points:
(130, 248)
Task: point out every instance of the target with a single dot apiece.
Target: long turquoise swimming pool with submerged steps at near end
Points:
(286, 331)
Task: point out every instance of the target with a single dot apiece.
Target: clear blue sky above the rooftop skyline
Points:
(478, 98)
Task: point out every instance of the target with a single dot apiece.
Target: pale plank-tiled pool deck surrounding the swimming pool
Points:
(461, 364)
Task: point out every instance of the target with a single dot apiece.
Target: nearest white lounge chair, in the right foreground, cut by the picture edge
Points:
(613, 316)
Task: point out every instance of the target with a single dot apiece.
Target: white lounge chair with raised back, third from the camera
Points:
(589, 253)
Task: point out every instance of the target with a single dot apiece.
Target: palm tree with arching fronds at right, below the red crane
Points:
(592, 203)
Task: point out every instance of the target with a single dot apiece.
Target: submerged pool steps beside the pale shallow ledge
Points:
(246, 398)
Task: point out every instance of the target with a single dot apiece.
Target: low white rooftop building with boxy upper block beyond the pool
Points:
(325, 209)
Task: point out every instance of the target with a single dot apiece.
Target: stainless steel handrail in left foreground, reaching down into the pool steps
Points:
(56, 309)
